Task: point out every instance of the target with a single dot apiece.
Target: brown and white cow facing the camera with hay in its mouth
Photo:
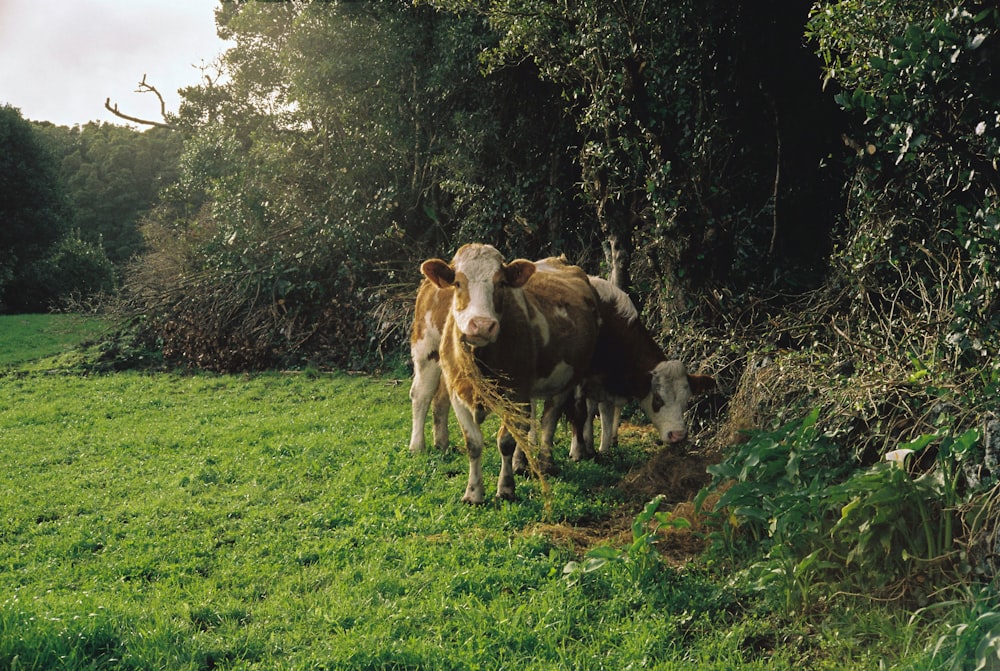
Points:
(533, 333)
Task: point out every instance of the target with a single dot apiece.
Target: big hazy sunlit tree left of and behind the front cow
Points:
(347, 142)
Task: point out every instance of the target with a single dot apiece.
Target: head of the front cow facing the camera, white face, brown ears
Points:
(478, 275)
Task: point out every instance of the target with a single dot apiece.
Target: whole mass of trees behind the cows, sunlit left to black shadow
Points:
(351, 140)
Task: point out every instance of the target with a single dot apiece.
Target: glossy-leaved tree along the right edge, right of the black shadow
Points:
(922, 234)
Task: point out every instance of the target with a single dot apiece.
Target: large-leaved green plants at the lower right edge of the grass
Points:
(822, 526)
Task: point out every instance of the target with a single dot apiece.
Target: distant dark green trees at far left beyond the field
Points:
(72, 199)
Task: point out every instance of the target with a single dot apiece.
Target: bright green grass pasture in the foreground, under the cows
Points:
(277, 521)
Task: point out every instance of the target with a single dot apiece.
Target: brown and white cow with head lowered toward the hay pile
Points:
(629, 365)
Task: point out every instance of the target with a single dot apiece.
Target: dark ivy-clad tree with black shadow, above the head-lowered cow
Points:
(685, 129)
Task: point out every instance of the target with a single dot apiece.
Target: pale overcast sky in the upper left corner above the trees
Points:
(59, 61)
